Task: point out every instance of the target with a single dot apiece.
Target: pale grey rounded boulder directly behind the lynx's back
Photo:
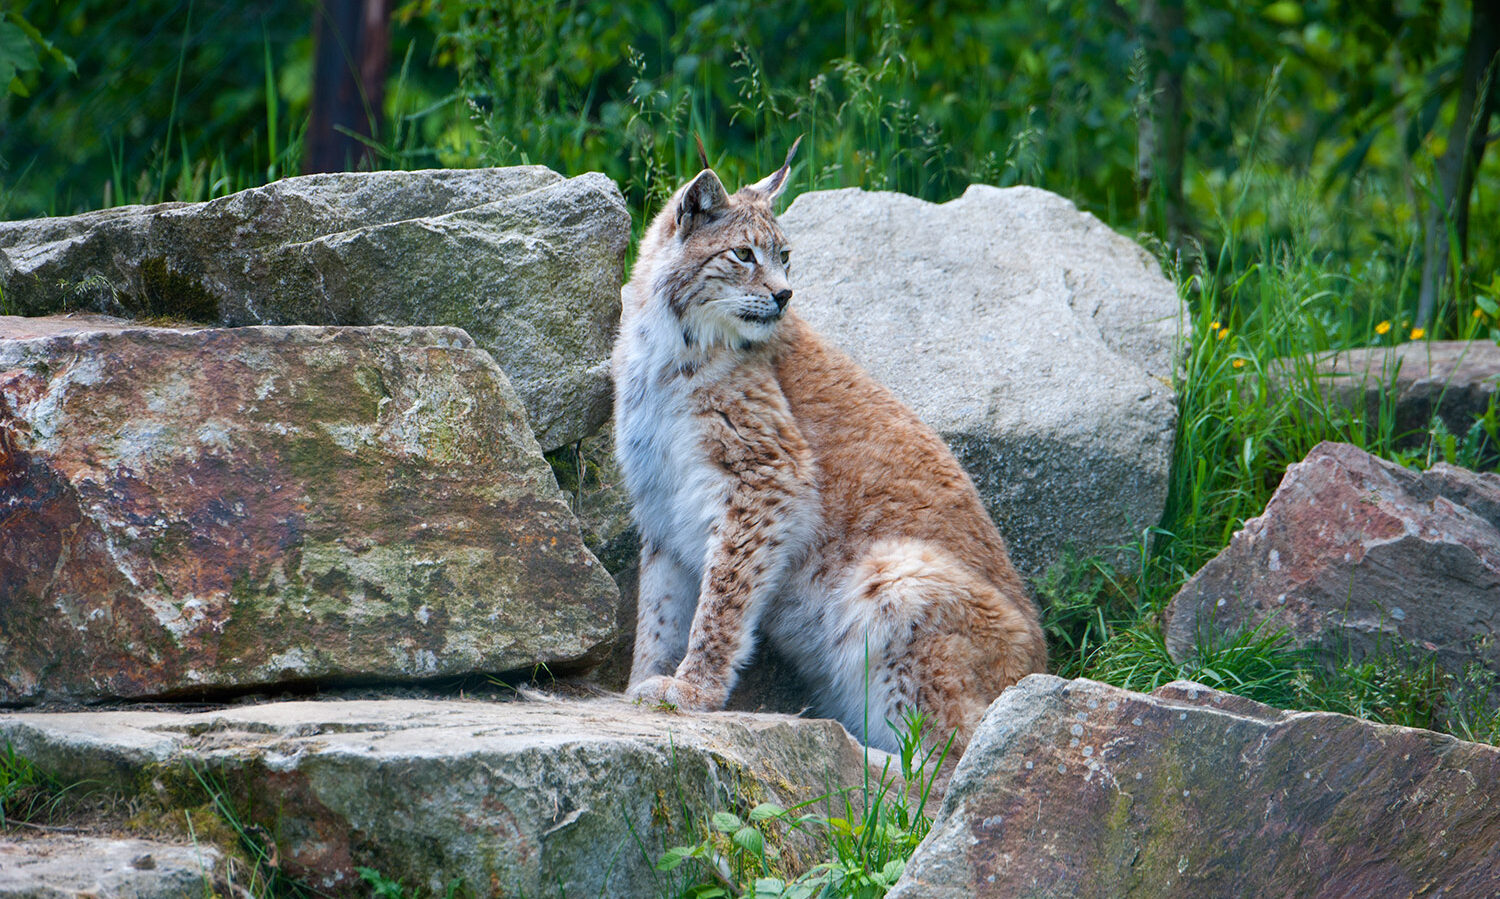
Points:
(1037, 341)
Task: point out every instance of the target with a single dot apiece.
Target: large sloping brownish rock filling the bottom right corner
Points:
(1076, 789)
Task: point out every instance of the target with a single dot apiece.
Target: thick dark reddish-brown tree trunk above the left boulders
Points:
(352, 55)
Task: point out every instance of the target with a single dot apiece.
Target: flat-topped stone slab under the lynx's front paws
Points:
(520, 799)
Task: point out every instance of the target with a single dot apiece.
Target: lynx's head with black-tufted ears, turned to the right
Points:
(721, 260)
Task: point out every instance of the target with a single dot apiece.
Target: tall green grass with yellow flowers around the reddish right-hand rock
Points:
(1264, 313)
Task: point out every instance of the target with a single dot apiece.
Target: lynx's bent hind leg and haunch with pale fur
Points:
(922, 631)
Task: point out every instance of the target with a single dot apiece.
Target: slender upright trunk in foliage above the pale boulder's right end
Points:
(1162, 142)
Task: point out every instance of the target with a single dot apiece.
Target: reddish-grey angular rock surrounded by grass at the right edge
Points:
(1354, 555)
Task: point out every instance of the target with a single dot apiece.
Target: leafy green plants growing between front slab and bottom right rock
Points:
(869, 840)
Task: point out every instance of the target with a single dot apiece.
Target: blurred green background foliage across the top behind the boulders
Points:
(890, 95)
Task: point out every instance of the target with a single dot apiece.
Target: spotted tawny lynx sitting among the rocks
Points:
(781, 490)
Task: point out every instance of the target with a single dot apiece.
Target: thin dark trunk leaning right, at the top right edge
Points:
(1466, 149)
